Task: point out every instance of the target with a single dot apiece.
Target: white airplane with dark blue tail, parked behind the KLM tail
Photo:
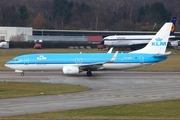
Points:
(134, 41)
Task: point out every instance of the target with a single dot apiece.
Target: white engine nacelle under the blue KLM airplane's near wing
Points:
(70, 70)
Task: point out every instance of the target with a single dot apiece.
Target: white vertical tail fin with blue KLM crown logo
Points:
(158, 43)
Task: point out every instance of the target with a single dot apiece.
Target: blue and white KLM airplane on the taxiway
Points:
(74, 63)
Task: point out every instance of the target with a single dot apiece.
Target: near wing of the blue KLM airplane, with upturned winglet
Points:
(98, 65)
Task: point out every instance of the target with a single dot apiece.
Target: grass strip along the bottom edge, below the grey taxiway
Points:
(152, 110)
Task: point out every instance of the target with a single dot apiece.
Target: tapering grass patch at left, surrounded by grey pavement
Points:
(22, 89)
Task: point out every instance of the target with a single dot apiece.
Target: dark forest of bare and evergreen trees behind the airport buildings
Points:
(89, 14)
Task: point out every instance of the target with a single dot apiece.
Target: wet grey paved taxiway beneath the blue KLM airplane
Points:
(107, 88)
